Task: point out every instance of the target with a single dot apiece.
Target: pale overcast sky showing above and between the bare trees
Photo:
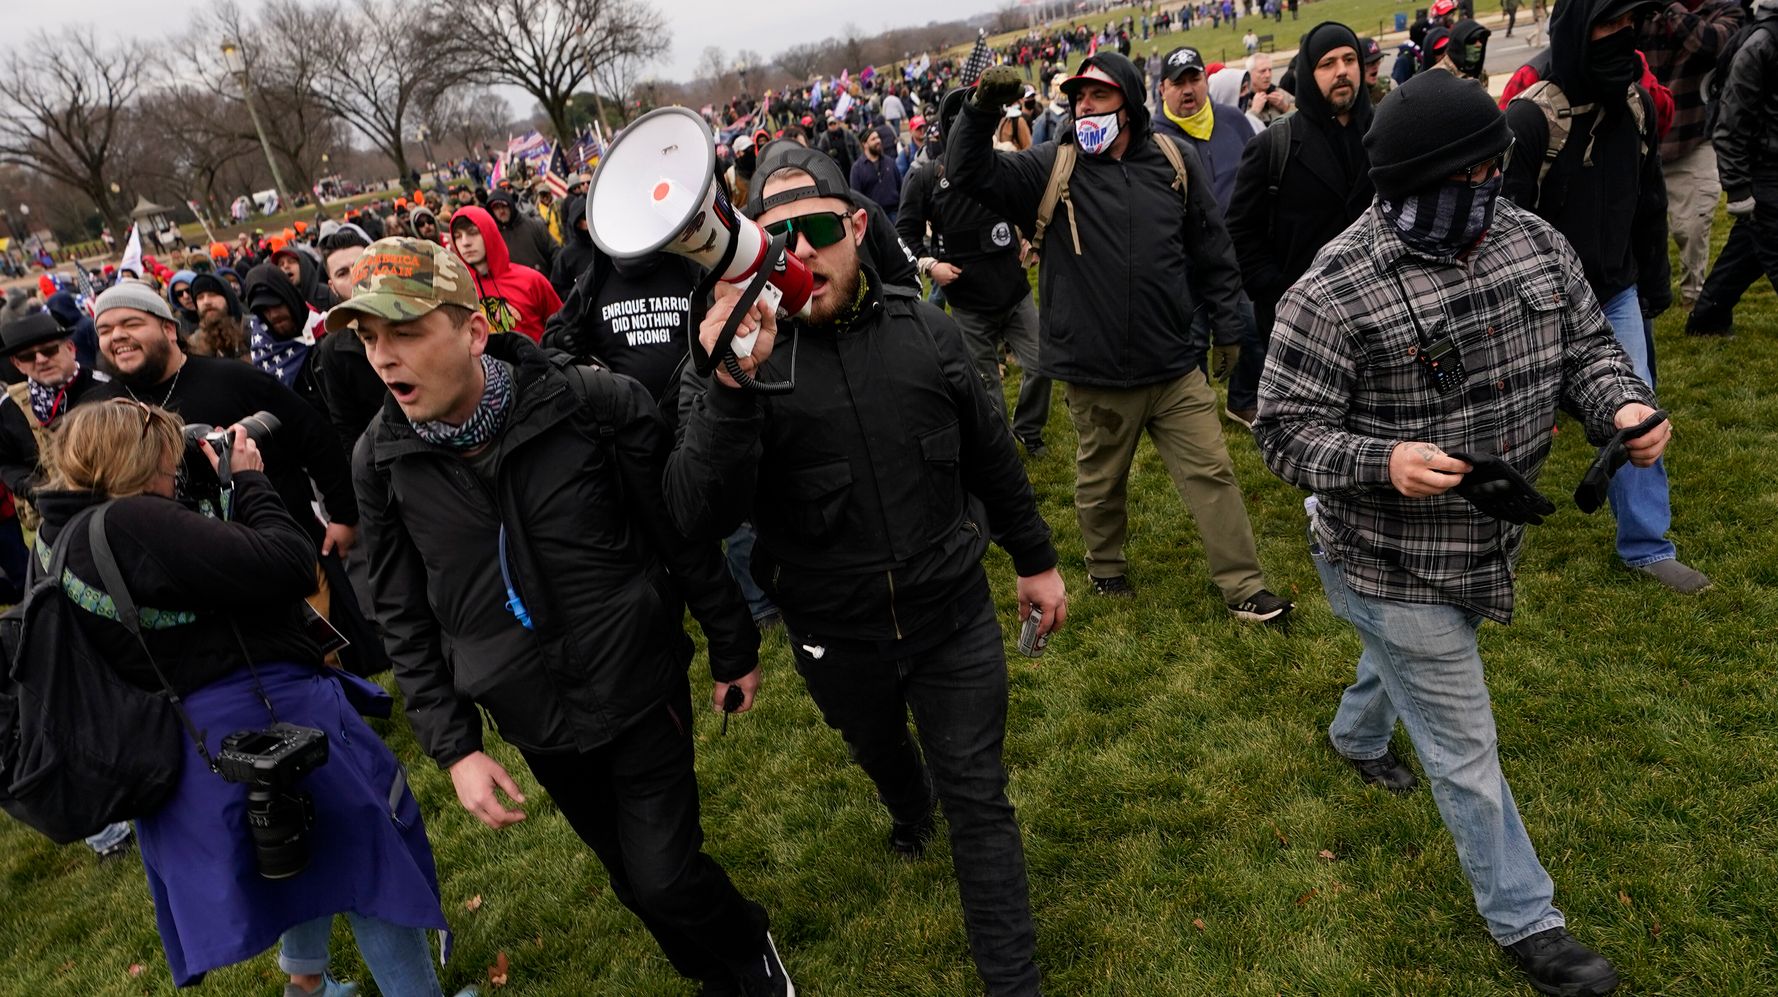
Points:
(765, 28)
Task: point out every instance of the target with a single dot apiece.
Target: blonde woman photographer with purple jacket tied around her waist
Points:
(221, 612)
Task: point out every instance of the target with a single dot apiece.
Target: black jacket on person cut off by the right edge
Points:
(1747, 122)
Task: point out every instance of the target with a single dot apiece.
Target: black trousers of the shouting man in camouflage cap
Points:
(636, 804)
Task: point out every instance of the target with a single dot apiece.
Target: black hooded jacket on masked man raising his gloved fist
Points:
(1119, 314)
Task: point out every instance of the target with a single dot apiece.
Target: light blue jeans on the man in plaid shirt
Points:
(1420, 666)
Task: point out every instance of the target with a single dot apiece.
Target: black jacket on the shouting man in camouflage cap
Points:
(589, 546)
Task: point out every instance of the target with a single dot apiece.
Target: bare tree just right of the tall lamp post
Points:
(380, 68)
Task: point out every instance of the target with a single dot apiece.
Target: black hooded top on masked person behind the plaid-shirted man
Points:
(1612, 209)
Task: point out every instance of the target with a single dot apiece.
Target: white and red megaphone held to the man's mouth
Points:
(657, 191)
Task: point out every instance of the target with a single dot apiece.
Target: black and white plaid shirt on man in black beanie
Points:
(1345, 385)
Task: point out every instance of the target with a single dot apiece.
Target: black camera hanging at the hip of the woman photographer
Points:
(269, 763)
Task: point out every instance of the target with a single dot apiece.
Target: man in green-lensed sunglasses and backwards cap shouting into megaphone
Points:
(867, 488)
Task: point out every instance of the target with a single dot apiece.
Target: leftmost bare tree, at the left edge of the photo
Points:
(63, 109)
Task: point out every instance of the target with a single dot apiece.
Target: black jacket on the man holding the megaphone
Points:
(865, 484)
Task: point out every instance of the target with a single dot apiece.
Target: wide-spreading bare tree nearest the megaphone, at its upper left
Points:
(547, 47)
